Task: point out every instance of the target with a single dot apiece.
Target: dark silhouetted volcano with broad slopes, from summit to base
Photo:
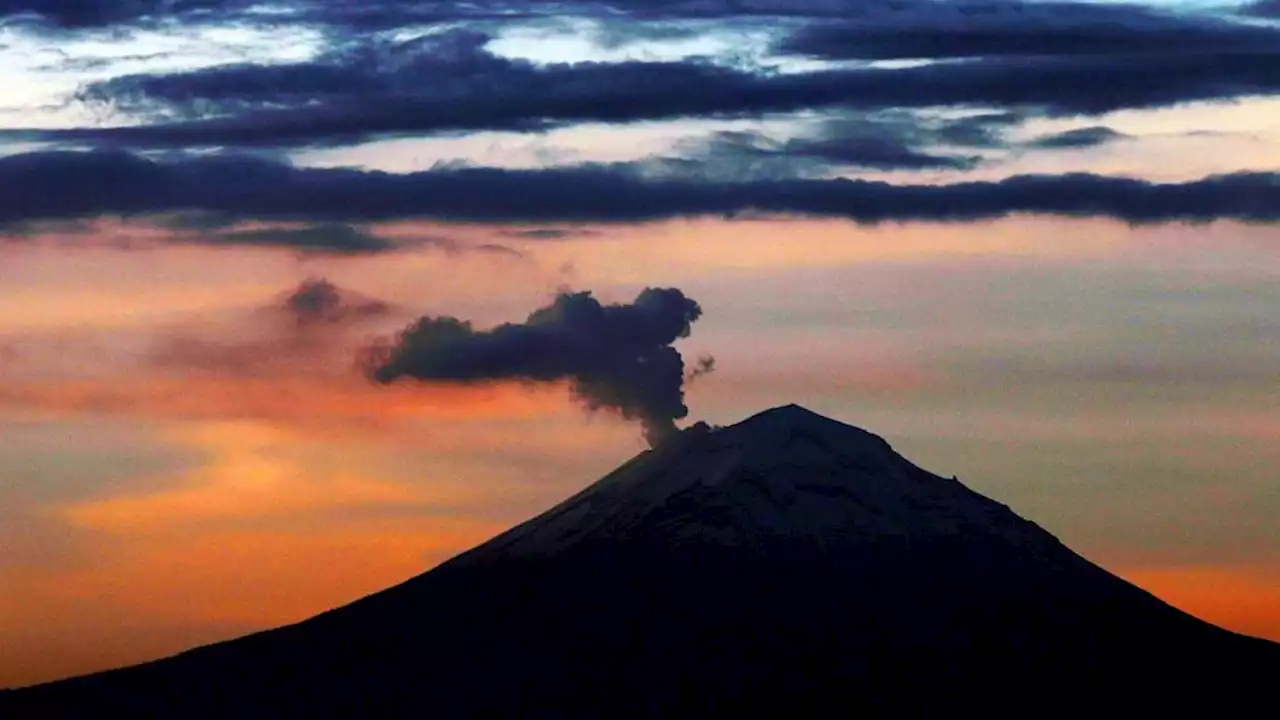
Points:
(785, 566)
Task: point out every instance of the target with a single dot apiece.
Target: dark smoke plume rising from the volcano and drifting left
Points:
(616, 357)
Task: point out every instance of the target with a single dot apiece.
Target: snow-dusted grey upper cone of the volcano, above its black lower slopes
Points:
(784, 475)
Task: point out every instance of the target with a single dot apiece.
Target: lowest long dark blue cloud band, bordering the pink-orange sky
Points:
(77, 185)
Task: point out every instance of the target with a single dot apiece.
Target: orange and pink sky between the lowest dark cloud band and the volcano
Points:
(1107, 382)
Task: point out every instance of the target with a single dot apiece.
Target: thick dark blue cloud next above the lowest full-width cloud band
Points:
(451, 81)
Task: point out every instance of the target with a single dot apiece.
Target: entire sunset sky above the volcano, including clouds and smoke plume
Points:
(300, 299)
